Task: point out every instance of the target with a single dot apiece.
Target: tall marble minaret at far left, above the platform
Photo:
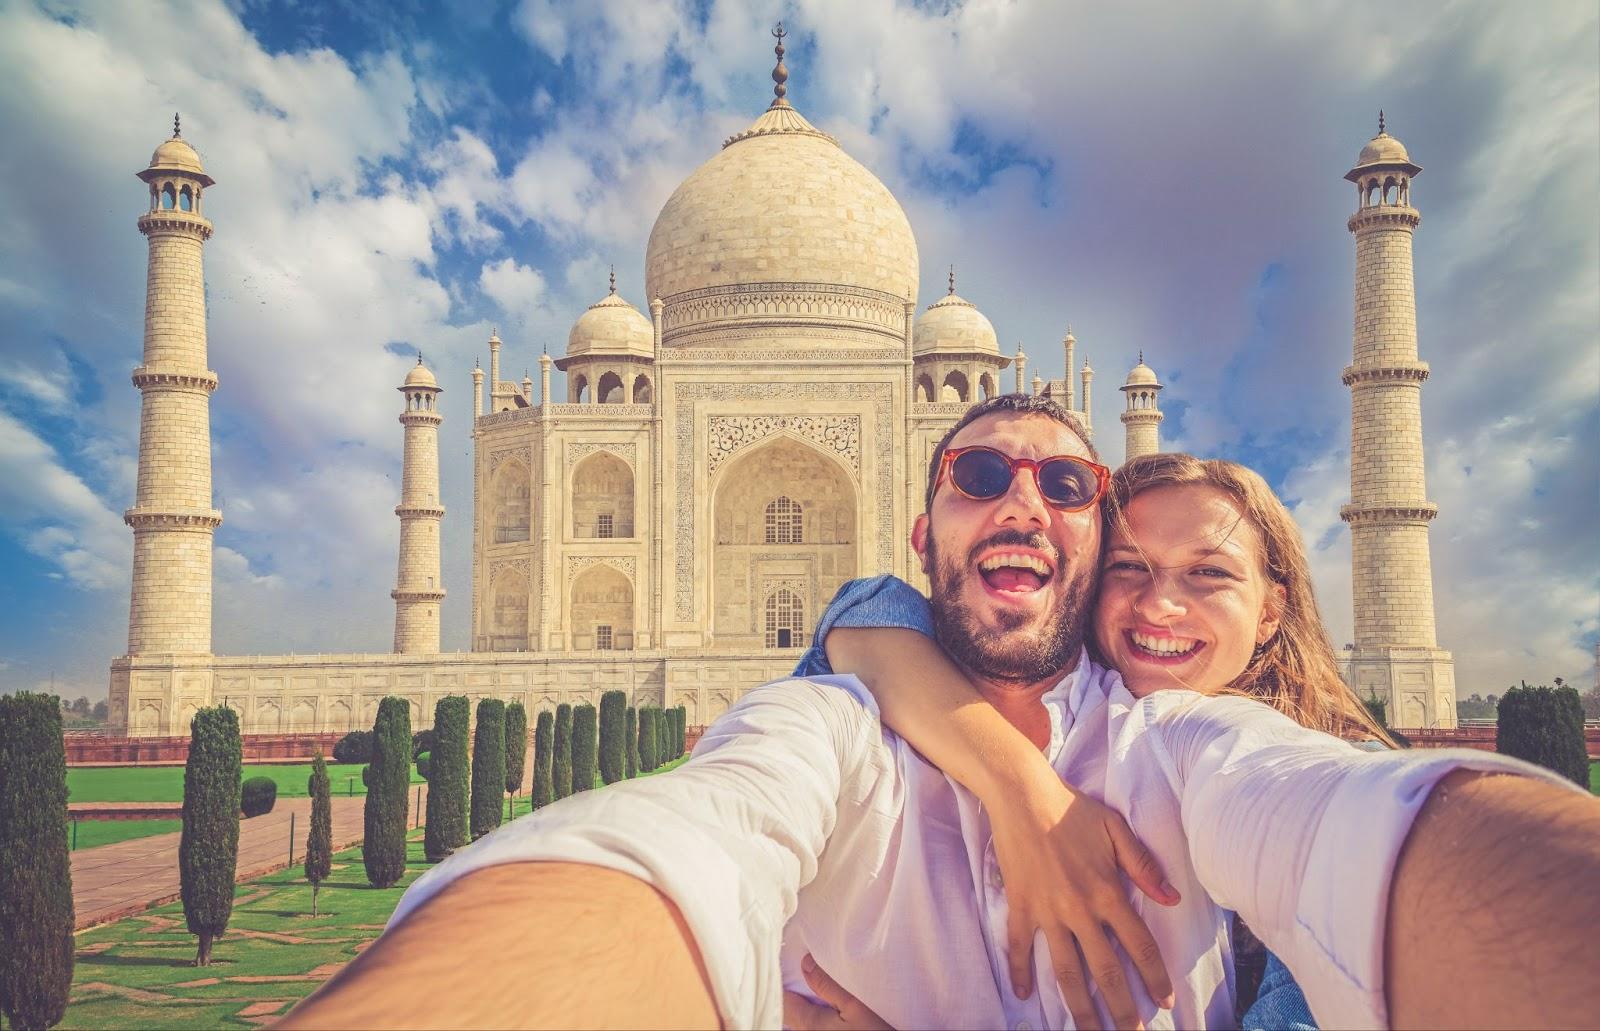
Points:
(172, 516)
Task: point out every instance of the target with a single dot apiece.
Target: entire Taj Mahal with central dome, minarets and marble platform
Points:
(724, 459)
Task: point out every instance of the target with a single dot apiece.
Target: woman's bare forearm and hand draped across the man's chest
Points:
(1062, 854)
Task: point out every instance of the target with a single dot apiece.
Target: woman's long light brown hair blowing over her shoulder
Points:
(1295, 672)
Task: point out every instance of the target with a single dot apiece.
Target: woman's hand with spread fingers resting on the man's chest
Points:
(1063, 856)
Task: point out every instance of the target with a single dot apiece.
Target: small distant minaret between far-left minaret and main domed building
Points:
(418, 590)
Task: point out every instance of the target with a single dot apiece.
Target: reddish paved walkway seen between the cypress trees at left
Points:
(116, 881)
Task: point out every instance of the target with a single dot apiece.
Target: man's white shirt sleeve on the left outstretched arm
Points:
(730, 838)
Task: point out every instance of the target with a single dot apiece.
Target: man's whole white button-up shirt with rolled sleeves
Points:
(802, 825)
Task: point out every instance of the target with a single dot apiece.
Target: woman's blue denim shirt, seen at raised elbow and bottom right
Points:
(889, 601)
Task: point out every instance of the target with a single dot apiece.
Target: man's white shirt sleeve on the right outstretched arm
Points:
(1300, 833)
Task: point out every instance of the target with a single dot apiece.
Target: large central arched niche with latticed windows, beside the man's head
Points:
(746, 568)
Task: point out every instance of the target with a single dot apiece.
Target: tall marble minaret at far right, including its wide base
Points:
(1396, 656)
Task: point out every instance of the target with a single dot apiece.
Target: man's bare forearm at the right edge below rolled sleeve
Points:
(1494, 909)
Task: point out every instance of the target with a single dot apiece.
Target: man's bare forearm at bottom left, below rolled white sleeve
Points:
(526, 945)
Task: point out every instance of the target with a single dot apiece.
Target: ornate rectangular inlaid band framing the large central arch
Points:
(879, 395)
